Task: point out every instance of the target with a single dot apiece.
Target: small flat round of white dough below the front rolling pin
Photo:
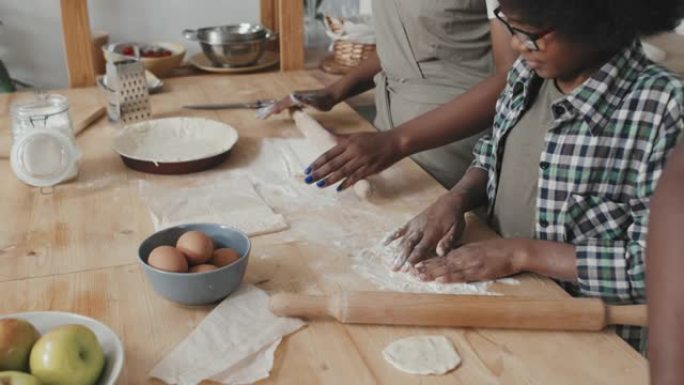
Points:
(422, 355)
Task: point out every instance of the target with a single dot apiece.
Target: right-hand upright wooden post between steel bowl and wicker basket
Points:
(291, 17)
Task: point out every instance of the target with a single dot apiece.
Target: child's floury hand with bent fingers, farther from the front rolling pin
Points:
(433, 232)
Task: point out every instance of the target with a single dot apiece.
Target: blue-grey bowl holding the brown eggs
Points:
(197, 288)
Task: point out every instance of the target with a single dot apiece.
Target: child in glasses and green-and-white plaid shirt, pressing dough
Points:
(580, 137)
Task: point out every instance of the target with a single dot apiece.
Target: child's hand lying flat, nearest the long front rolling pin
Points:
(478, 261)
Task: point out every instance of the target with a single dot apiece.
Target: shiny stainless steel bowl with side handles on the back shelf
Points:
(238, 45)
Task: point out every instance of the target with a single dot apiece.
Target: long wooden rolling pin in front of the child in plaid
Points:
(384, 308)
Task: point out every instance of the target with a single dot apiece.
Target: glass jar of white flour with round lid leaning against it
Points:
(44, 151)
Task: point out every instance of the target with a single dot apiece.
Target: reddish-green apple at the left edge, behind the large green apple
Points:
(16, 339)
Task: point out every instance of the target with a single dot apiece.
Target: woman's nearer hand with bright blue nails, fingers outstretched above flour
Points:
(355, 157)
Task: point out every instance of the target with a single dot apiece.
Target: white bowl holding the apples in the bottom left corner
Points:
(45, 321)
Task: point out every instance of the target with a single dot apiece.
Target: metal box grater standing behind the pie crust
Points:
(131, 100)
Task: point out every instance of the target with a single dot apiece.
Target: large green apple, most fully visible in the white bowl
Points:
(67, 355)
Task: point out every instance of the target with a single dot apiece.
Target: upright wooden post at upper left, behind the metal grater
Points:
(78, 45)
